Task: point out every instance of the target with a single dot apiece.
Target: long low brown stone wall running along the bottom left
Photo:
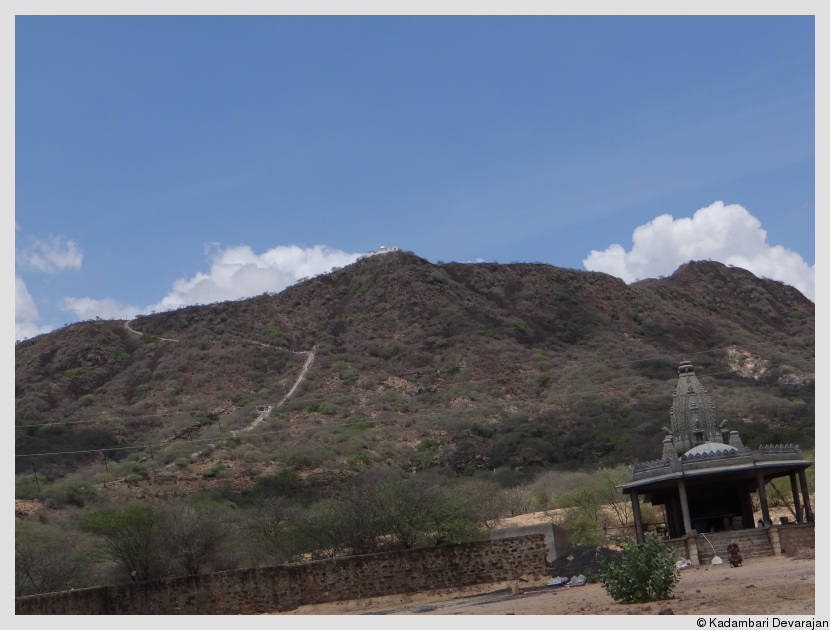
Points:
(285, 587)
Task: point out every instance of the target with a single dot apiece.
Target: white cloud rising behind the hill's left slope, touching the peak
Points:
(235, 273)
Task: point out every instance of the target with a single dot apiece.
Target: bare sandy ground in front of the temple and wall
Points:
(763, 586)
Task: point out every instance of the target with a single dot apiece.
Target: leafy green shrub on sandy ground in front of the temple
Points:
(641, 573)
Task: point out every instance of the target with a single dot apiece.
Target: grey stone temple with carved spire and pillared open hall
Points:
(706, 477)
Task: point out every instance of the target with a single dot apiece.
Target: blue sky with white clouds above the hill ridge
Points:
(169, 160)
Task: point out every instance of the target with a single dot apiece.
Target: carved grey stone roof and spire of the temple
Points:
(698, 446)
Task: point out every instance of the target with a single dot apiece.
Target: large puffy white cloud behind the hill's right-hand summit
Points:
(726, 233)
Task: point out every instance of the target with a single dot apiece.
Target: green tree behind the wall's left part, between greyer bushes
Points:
(131, 537)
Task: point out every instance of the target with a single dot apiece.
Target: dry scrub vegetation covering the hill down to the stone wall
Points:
(482, 390)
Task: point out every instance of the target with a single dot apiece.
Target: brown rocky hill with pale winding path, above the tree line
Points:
(415, 365)
